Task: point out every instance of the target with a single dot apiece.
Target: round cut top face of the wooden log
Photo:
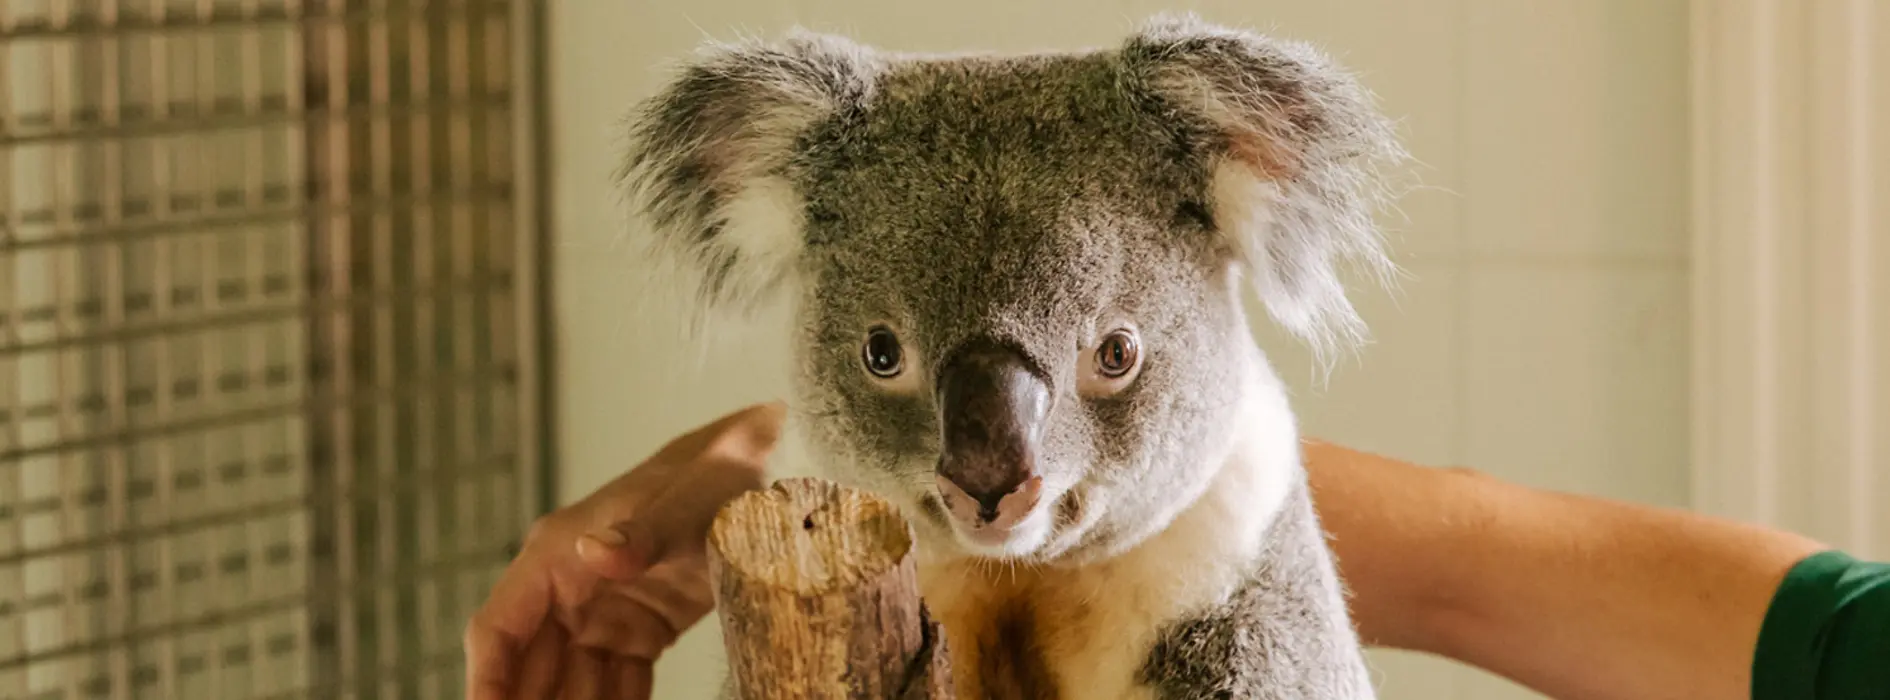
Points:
(810, 536)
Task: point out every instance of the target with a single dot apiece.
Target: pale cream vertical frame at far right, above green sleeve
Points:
(1791, 270)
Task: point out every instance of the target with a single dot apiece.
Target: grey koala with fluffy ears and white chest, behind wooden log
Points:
(1018, 294)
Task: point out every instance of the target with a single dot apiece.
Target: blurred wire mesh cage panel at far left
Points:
(269, 372)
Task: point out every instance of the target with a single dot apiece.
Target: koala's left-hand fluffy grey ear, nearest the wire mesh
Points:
(710, 156)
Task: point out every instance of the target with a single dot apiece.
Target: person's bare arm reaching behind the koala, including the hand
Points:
(1579, 599)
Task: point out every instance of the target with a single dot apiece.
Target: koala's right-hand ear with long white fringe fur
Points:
(1294, 147)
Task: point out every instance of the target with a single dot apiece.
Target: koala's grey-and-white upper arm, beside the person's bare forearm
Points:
(1284, 635)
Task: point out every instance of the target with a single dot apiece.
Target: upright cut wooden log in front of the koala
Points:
(817, 591)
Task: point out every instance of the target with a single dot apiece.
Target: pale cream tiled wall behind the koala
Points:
(1543, 336)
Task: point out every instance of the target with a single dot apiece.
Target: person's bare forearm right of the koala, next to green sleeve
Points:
(1579, 599)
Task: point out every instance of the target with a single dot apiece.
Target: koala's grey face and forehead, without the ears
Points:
(1018, 313)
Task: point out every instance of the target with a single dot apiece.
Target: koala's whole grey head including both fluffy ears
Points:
(1018, 279)
